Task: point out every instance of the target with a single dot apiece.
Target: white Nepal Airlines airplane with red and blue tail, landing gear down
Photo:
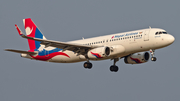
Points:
(132, 46)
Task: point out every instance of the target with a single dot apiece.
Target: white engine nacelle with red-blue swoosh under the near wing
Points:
(100, 52)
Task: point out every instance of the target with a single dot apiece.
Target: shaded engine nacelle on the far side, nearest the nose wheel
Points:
(137, 58)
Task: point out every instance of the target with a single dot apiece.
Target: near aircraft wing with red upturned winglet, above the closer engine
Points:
(77, 48)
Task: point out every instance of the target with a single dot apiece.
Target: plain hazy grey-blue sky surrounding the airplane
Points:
(65, 20)
